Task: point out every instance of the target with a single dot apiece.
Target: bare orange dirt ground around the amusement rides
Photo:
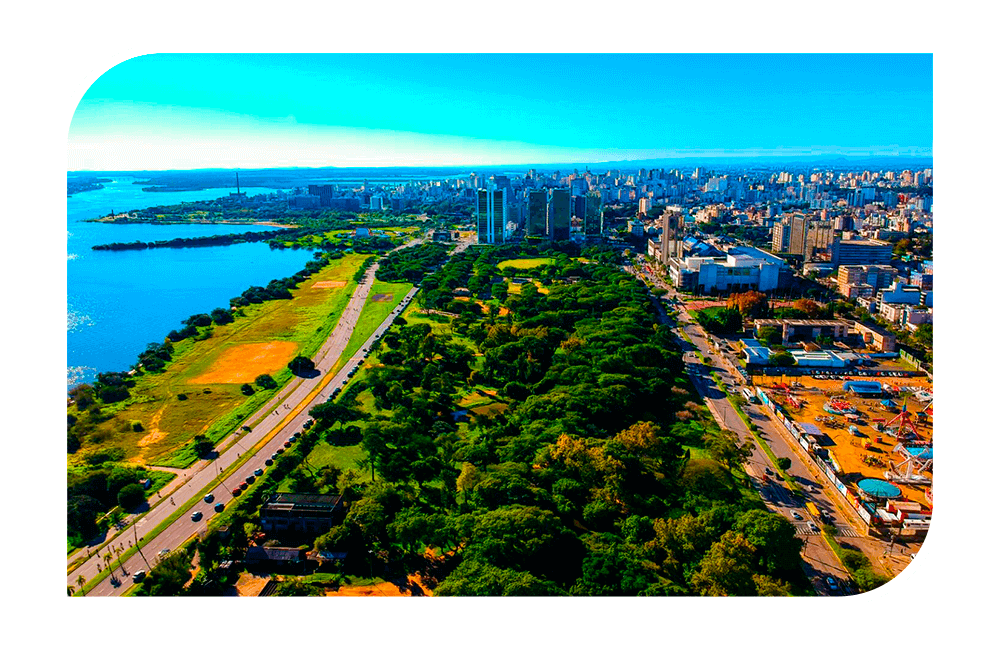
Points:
(847, 448)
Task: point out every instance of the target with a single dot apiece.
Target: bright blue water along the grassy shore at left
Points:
(120, 301)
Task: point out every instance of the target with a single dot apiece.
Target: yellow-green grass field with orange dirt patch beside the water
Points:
(155, 424)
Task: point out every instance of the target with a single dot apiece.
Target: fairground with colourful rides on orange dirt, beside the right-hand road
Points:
(875, 436)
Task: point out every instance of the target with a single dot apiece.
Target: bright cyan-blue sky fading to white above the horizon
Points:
(164, 109)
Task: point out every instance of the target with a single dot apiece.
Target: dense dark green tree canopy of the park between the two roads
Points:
(599, 475)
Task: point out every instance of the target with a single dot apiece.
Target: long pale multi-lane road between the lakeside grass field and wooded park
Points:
(282, 417)
